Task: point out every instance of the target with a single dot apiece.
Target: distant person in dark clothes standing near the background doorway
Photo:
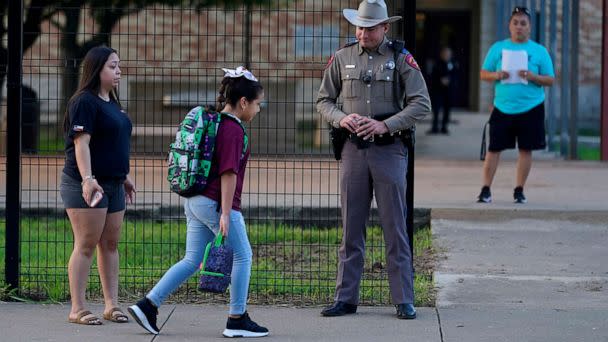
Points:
(443, 82)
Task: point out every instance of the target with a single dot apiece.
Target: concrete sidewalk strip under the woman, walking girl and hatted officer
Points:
(35, 322)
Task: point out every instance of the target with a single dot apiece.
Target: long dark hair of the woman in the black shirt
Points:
(92, 65)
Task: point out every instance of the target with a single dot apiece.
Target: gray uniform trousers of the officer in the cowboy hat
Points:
(380, 170)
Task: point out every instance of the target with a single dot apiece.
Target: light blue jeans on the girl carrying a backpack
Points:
(202, 220)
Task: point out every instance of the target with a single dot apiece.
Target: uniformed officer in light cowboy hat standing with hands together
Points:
(374, 158)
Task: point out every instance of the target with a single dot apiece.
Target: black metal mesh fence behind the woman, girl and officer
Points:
(171, 59)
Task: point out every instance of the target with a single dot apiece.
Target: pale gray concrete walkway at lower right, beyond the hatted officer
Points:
(522, 276)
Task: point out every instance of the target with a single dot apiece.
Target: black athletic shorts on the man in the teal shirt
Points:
(527, 128)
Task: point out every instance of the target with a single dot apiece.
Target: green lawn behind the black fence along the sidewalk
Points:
(291, 264)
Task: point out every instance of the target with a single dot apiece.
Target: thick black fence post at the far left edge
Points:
(13, 137)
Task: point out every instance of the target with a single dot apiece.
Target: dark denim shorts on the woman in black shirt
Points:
(113, 194)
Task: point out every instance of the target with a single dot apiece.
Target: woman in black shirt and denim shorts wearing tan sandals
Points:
(95, 183)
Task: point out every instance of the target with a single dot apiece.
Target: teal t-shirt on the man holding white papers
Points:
(519, 98)
